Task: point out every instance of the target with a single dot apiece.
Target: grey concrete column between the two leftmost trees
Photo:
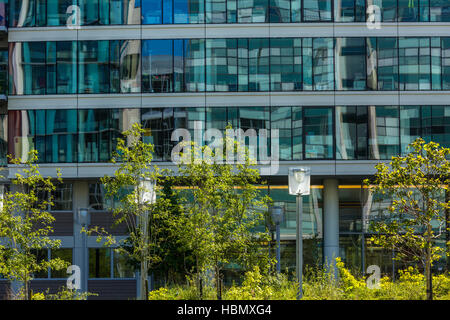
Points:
(80, 250)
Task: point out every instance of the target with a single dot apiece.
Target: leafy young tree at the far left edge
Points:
(25, 224)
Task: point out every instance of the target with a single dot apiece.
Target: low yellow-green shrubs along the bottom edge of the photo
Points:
(318, 284)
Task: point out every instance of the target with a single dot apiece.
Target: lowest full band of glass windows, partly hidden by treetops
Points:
(312, 133)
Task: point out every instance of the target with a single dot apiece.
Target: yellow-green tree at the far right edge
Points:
(416, 184)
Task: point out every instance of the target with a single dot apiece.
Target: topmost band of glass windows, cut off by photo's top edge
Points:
(34, 13)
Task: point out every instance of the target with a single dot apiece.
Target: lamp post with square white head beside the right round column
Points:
(299, 183)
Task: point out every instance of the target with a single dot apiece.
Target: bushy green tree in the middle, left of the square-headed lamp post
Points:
(223, 209)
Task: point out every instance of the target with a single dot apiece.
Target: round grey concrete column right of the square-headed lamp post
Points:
(330, 220)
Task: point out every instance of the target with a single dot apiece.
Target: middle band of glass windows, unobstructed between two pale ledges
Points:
(229, 65)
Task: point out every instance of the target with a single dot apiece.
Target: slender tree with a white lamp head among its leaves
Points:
(132, 190)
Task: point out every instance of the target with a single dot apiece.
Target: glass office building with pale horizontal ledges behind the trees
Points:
(342, 96)
